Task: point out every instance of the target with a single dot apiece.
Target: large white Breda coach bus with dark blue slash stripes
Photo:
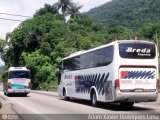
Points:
(124, 71)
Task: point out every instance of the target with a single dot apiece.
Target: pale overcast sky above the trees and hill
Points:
(29, 7)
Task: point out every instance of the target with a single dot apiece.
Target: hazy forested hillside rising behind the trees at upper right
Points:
(132, 14)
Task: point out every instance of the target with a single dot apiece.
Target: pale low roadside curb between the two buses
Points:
(48, 93)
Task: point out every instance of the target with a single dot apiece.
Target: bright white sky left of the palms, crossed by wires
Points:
(21, 7)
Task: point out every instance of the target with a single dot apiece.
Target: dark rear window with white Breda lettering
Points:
(137, 50)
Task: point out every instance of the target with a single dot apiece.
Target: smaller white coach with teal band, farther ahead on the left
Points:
(16, 80)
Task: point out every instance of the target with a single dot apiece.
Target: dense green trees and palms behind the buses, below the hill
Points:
(41, 42)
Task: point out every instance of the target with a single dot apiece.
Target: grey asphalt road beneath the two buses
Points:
(37, 106)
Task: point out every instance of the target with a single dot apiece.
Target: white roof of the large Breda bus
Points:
(109, 44)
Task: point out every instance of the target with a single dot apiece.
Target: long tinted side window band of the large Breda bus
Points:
(97, 58)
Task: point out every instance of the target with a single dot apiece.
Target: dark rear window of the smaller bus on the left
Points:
(18, 74)
